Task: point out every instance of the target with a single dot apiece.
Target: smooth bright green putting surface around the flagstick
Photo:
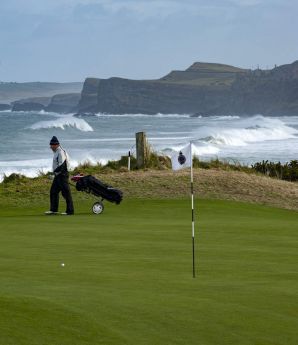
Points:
(127, 277)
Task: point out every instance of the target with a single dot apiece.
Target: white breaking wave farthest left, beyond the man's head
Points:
(62, 122)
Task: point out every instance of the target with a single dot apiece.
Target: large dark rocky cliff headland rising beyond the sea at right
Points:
(203, 88)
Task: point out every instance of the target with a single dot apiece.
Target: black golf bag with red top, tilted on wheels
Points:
(90, 184)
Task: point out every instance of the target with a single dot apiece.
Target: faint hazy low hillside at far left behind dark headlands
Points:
(10, 92)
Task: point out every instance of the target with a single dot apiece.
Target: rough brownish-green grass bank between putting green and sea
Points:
(208, 184)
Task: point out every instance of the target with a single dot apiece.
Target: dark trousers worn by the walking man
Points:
(60, 184)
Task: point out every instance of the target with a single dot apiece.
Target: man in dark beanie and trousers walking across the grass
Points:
(60, 182)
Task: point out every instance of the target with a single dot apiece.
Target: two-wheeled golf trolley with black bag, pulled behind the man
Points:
(91, 185)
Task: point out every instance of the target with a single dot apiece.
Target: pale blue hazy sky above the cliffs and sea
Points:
(69, 40)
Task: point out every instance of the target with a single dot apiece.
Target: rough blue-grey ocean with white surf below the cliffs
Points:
(25, 136)
